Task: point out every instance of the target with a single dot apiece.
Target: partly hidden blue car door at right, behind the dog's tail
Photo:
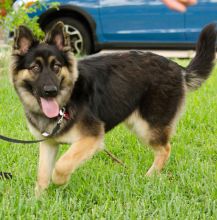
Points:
(197, 16)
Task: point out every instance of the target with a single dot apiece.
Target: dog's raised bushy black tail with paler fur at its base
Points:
(201, 65)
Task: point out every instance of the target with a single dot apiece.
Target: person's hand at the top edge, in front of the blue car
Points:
(179, 5)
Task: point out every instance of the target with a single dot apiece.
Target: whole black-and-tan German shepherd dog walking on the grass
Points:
(144, 90)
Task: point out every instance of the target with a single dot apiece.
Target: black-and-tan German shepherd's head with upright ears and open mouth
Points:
(43, 73)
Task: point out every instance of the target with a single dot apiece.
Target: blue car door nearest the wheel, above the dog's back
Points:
(140, 21)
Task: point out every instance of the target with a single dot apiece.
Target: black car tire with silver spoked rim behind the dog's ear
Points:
(80, 37)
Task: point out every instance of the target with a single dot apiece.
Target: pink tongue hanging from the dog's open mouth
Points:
(50, 107)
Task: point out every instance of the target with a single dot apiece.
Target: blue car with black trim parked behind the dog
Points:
(123, 24)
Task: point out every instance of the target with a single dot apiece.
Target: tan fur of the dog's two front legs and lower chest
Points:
(83, 147)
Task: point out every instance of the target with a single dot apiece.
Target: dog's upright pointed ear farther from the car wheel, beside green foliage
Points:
(23, 40)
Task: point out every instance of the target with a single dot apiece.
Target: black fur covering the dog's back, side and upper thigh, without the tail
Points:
(113, 89)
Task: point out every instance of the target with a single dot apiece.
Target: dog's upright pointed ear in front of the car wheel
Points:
(57, 36)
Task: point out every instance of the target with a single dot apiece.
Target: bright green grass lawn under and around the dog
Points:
(101, 189)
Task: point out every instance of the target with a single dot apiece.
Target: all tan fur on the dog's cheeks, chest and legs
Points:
(85, 139)
